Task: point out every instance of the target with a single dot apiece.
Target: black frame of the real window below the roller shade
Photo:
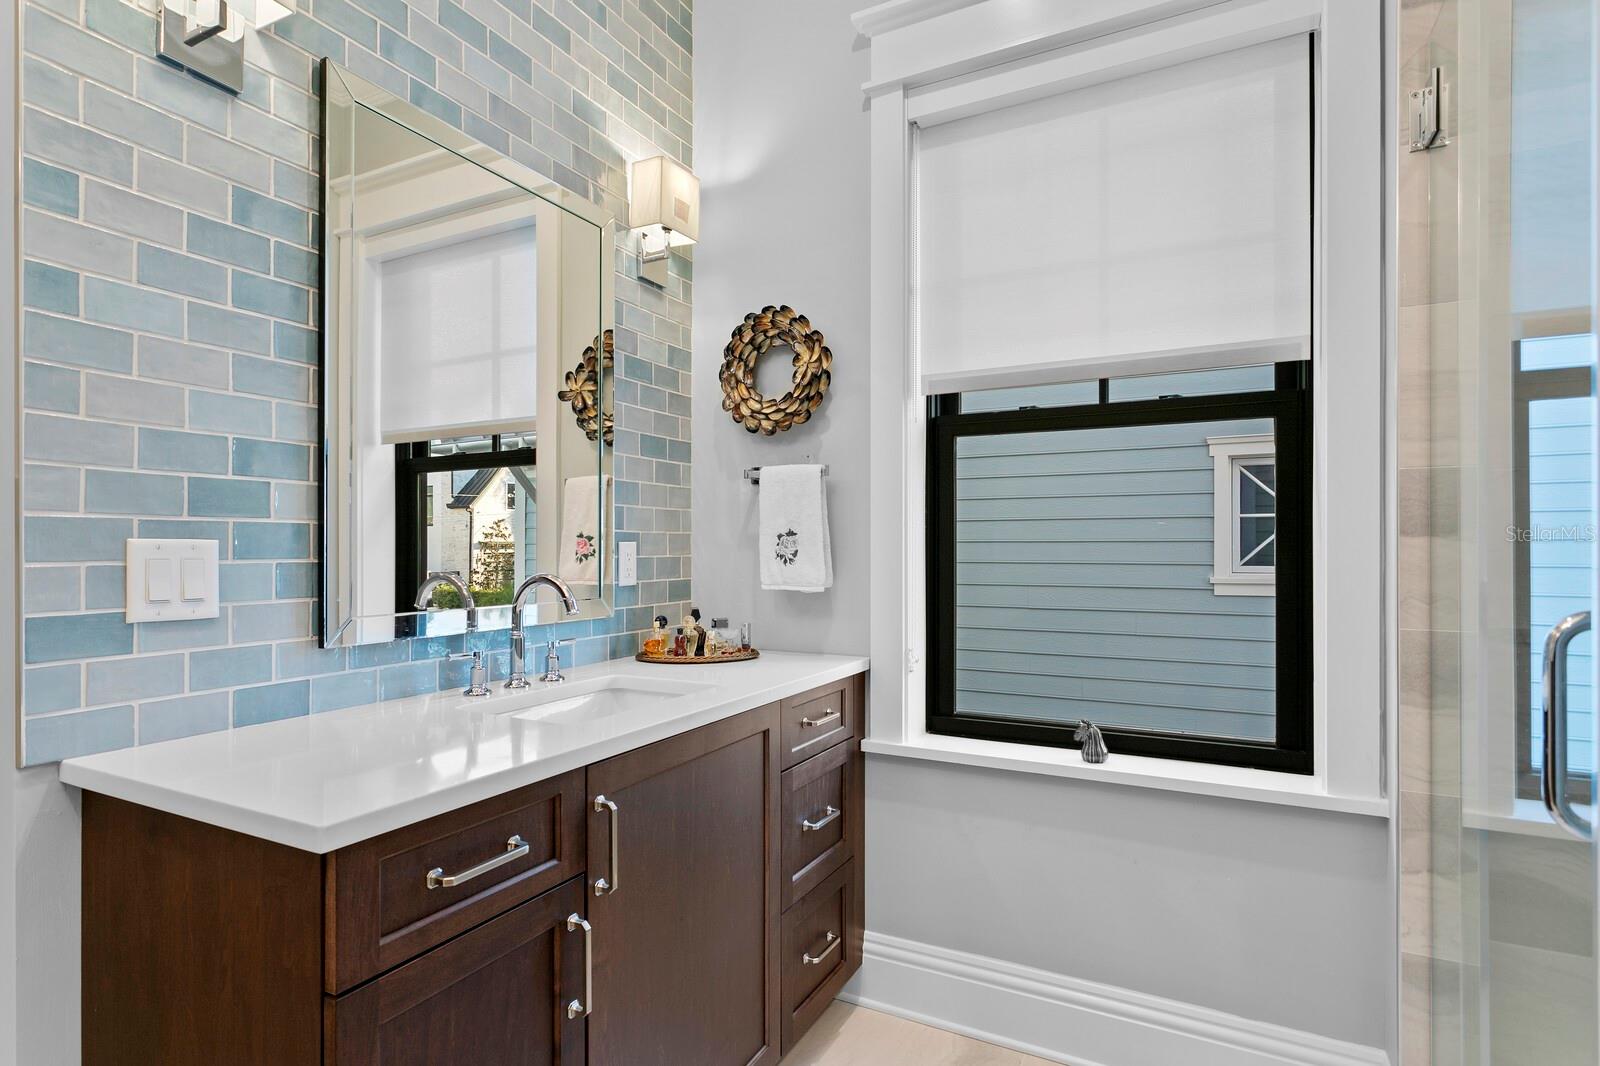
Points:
(1289, 404)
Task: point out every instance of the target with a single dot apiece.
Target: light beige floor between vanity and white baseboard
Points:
(855, 1036)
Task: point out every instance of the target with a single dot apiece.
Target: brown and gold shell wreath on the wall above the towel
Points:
(751, 340)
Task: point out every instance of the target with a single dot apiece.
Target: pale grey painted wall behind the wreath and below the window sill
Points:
(1271, 913)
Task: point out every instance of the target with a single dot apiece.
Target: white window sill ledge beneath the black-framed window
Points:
(1260, 787)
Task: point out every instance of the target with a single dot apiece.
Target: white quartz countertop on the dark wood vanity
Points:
(319, 783)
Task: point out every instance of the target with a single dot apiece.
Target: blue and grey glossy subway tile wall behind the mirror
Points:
(169, 334)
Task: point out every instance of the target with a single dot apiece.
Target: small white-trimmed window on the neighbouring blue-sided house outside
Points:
(1246, 516)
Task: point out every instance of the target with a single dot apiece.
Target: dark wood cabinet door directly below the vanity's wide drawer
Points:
(503, 993)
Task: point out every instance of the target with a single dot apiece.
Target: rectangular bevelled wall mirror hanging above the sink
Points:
(465, 377)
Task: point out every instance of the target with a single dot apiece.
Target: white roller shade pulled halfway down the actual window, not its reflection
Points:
(1148, 225)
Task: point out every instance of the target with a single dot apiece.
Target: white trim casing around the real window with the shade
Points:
(966, 52)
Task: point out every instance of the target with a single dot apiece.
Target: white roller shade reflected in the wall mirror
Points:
(458, 339)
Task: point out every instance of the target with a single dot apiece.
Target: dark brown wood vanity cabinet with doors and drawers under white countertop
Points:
(694, 902)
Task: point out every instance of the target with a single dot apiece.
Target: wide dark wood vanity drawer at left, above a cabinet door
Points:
(394, 897)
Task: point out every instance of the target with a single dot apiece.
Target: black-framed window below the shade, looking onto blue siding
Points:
(1073, 559)
